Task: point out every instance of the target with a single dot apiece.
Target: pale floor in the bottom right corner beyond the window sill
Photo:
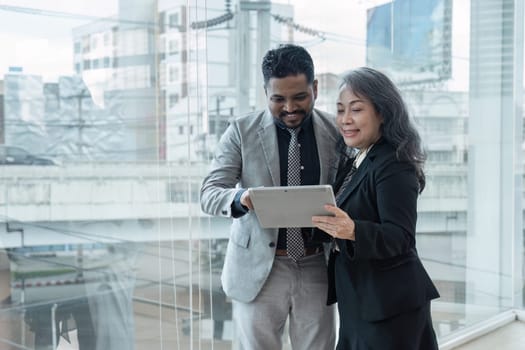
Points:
(509, 337)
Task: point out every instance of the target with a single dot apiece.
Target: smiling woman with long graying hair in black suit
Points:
(376, 277)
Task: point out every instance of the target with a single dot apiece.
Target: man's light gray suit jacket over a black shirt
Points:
(248, 156)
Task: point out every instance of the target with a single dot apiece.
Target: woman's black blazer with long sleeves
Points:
(387, 275)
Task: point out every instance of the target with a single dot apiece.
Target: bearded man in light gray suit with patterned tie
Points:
(266, 284)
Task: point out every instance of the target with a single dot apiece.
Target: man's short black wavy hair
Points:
(286, 60)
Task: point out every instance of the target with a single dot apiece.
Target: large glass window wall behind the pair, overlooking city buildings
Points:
(109, 115)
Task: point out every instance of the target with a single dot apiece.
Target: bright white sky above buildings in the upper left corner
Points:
(43, 44)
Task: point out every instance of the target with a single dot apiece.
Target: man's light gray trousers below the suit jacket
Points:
(294, 291)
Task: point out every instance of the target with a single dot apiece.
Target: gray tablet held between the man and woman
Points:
(290, 206)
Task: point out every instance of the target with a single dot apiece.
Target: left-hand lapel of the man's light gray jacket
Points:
(269, 147)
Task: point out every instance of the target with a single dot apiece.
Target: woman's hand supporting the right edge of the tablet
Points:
(338, 226)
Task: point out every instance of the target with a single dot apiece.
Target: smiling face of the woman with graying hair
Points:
(357, 119)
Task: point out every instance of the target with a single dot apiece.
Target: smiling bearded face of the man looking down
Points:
(291, 99)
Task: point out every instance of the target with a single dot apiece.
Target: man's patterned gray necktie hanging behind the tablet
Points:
(294, 237)
